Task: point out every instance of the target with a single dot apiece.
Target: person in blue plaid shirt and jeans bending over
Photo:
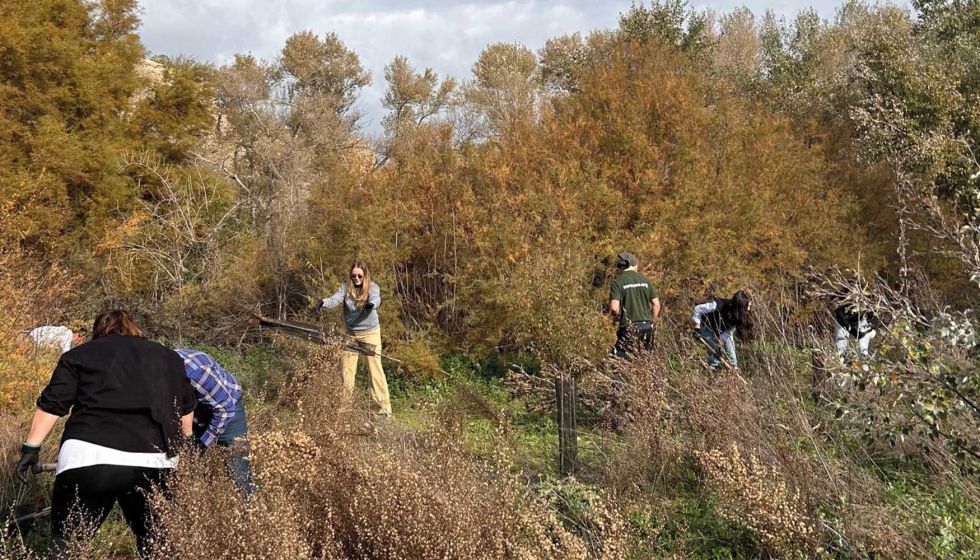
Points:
(221, 417)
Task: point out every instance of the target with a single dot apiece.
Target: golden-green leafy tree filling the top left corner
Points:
(67, 73)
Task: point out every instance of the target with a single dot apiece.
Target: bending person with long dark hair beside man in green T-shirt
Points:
(716, 322)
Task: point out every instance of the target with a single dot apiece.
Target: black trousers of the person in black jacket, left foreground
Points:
(92, 491)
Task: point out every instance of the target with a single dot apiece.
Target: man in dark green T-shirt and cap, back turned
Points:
(634, 302)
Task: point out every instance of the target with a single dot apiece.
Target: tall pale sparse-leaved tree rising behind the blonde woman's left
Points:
(289, 129)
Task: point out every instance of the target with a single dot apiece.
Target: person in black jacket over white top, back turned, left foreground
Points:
(131, 408)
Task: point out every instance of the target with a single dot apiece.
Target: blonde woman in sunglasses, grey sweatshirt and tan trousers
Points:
(361, 298)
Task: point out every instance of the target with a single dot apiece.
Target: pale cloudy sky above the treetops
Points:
(443, 35)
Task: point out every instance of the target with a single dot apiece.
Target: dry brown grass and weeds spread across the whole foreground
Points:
(777, 466)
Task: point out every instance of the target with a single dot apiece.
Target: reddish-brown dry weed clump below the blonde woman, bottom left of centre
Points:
(328, 488)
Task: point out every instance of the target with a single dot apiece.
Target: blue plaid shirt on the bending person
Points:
(216, 389)
